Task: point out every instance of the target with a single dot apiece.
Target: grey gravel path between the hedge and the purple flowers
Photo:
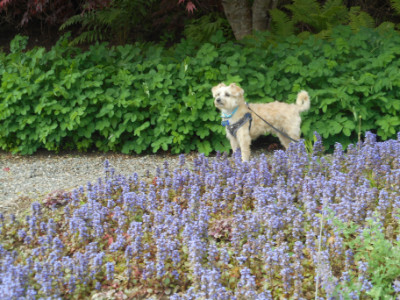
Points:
(24, 179)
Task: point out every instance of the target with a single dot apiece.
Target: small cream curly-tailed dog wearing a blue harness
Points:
(243, 122)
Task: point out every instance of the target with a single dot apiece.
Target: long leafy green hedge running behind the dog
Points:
(137, 98)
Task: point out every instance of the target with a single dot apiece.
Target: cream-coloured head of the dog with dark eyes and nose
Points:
(227, 97)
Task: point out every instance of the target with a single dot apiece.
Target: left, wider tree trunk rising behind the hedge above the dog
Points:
(239, 17)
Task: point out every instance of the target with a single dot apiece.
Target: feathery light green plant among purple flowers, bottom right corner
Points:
(375, 253)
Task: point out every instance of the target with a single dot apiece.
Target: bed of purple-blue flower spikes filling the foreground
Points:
(291, 225)
